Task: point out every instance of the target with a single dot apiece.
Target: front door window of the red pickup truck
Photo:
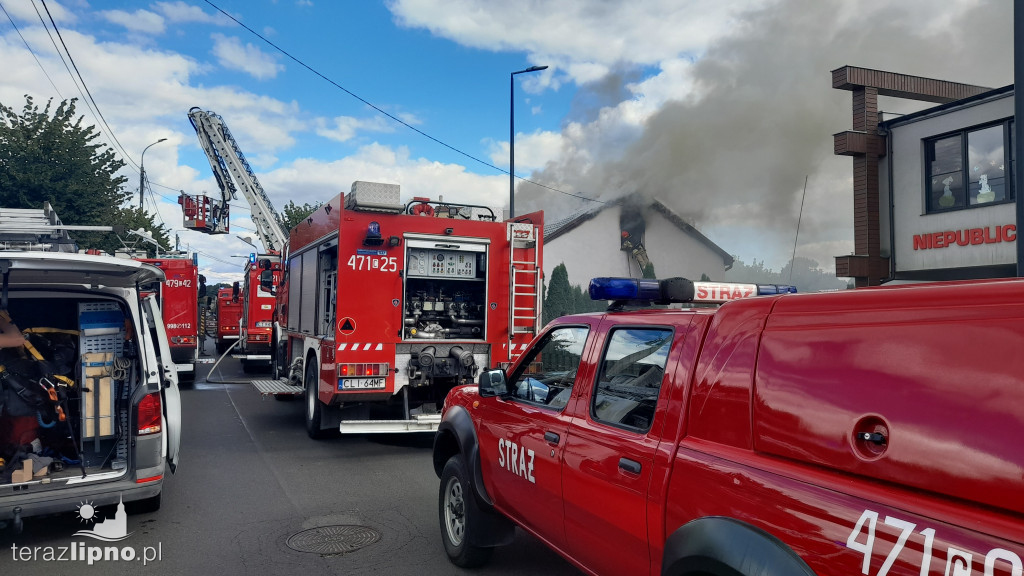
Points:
(550, 369)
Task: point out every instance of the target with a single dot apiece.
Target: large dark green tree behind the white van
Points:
(51, 156)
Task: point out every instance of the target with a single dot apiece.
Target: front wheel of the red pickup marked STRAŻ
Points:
(458, 516)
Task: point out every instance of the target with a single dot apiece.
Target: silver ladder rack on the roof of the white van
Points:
(29, 229)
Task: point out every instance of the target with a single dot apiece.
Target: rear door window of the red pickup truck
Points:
(632, 371)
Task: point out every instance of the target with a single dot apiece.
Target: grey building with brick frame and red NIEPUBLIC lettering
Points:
(933, 190)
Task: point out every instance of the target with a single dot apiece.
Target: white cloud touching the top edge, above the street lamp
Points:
(582, 38)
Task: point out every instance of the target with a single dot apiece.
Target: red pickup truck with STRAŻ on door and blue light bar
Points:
(874, 432)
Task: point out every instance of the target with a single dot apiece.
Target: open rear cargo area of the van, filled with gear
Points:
(87, 375)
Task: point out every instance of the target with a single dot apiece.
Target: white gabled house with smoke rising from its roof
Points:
(615, 239)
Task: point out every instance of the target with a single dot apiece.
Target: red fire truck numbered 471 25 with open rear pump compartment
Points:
(387, 307)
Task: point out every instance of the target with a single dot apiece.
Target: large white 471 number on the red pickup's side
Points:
(957, 562)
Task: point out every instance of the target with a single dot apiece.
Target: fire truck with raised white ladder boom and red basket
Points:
(210, 216)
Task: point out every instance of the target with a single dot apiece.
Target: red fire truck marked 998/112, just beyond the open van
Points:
(180, 303)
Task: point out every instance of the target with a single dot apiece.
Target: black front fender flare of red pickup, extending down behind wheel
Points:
(456, 435)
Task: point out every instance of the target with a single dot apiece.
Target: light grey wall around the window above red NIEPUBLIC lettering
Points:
(910, 220)
